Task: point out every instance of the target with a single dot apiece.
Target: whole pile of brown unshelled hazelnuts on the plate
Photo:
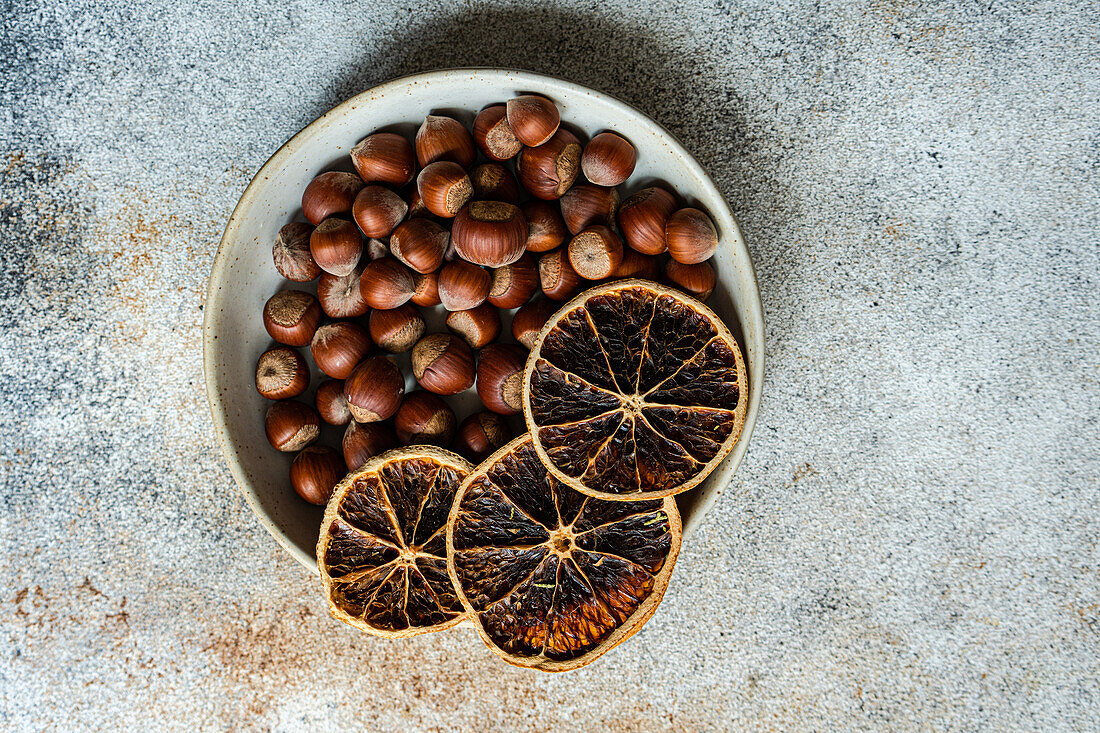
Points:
(479, 237)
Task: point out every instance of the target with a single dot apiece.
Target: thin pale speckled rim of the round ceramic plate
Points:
(729, 467)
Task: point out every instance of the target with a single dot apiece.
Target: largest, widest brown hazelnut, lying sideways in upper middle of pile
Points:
(491, 234)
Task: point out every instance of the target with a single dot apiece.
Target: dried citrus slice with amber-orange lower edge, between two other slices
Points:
(554, 578)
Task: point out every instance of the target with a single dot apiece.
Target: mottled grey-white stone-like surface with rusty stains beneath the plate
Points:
(911, 542)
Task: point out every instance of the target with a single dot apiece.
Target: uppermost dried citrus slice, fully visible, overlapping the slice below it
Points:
(634, 391)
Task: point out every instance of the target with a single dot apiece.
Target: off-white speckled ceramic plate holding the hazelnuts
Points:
(244, 277)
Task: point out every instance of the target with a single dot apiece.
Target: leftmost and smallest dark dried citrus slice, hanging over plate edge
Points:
(383, 549)
